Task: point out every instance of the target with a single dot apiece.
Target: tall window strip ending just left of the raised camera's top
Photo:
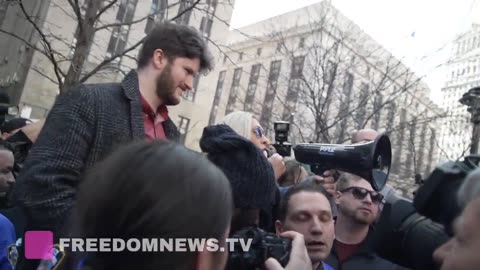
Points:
(270, 93)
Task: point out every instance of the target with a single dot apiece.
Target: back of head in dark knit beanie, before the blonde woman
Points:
(250, 174)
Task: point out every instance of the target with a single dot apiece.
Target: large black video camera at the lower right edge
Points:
(423, 225)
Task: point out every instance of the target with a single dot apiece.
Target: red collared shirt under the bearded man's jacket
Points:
(153, 120)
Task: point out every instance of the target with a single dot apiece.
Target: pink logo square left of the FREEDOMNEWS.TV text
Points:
(39, 245)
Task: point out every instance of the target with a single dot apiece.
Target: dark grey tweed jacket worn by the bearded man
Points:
(84, 126)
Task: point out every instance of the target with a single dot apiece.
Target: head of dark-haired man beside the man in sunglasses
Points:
(307, 208)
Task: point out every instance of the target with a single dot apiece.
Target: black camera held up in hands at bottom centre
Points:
(264, 245)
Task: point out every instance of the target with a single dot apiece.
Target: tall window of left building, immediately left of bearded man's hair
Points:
(119, 37)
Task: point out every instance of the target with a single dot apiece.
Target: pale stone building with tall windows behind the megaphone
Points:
(316, 69)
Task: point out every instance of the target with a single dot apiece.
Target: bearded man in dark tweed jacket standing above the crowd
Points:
(90, 121)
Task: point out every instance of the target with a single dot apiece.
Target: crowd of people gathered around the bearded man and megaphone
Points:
(106, 163)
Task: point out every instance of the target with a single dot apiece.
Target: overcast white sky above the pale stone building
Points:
(391, 23)
